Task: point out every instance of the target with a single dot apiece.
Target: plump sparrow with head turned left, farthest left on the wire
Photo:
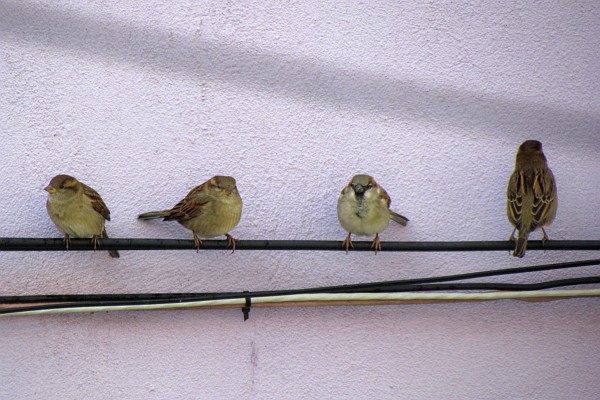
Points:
(77, 210)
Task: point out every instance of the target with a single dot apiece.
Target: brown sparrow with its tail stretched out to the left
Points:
(211, 209)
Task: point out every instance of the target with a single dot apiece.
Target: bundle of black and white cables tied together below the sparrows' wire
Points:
(450, 288)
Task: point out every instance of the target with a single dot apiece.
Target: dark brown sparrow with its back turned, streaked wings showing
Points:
(531, 194)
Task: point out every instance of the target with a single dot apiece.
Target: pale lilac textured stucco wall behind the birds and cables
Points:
(145, 99)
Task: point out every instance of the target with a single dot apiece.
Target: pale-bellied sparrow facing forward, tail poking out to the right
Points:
(363, 209)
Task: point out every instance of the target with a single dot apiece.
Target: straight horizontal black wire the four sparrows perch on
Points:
(45, 244)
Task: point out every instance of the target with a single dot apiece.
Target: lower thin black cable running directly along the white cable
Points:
(249, 295)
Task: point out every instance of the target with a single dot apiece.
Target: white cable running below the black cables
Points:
(330, 297)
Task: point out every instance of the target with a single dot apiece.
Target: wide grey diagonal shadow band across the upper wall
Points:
(308, 79)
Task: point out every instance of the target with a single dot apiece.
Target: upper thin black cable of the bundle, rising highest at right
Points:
(325, 289)
